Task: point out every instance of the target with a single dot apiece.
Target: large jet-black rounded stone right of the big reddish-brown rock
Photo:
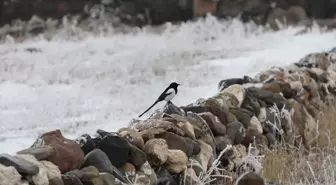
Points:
(116, 148)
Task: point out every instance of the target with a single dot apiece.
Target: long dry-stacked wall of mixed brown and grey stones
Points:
(209, 140)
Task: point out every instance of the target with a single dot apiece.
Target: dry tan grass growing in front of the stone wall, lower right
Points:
(290, 166)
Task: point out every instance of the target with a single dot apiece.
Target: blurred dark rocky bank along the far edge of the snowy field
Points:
(35, 16)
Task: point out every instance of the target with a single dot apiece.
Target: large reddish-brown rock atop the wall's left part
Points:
(67, 154)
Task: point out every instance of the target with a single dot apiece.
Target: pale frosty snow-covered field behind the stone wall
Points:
(102, 82)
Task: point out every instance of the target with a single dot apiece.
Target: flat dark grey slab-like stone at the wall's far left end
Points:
(22, 166)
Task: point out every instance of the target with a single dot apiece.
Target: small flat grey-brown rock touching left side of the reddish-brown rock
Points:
(40, 152)
